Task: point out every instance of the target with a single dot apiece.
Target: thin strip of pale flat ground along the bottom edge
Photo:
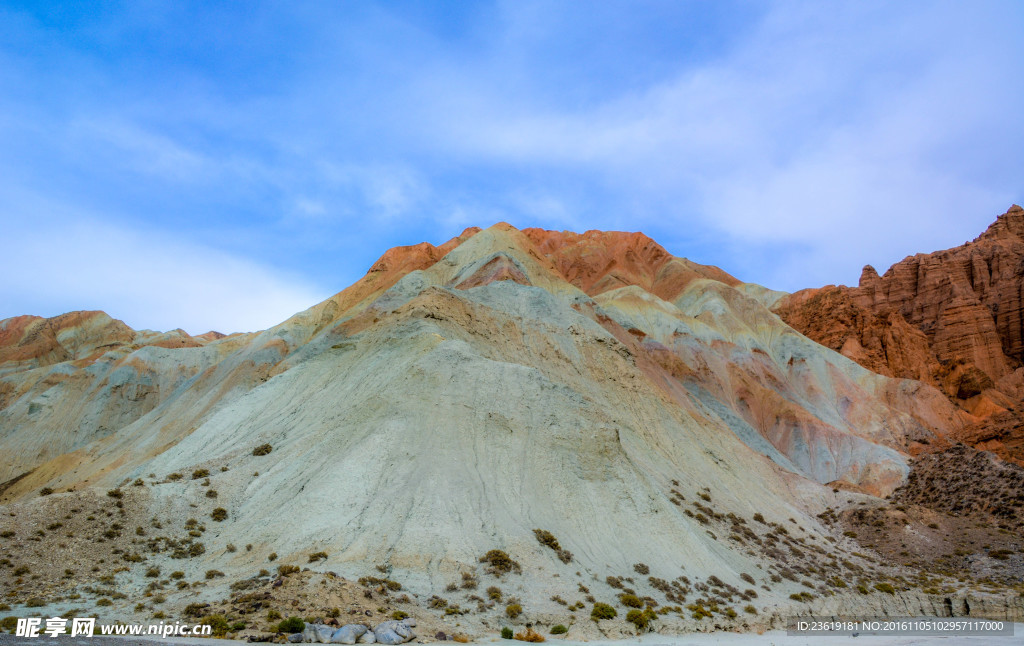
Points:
(777, 638)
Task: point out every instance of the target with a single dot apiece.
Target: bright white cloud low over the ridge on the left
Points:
(149, 279)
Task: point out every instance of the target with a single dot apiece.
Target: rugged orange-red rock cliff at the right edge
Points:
(952, 319)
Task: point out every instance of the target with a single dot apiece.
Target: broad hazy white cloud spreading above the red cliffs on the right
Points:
(855, 133)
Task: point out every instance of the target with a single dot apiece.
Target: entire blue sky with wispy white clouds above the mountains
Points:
(225, 165)
